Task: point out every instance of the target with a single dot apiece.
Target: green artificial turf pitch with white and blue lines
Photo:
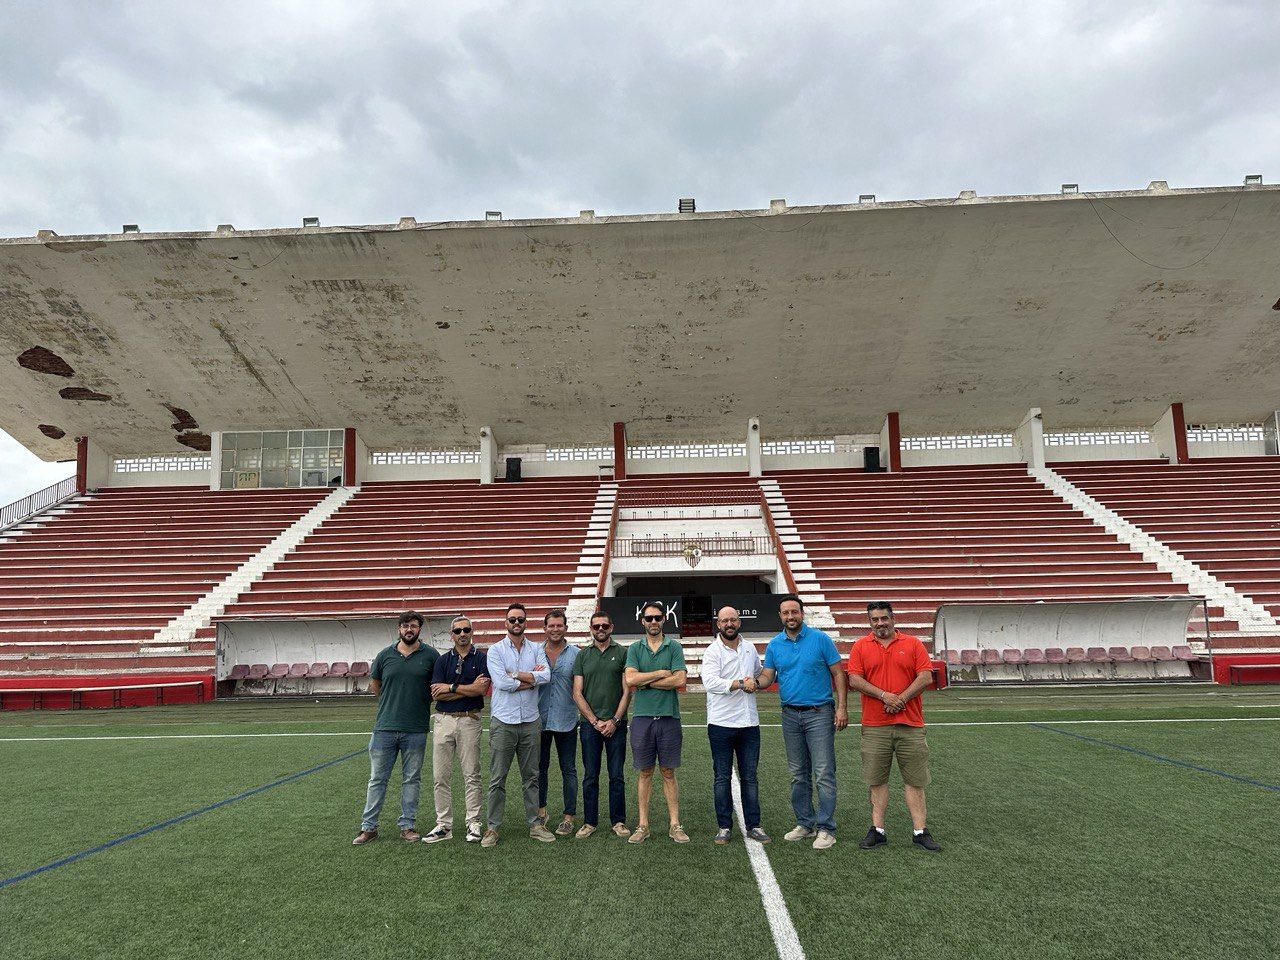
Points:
(1062, 840)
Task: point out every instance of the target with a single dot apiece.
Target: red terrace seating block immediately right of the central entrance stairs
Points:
(931, 536)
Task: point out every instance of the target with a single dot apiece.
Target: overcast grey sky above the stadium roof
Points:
(184, 116)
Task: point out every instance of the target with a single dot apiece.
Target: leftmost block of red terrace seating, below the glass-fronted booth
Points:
(85, 589)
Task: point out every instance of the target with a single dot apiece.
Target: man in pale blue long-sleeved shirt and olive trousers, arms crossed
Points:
(518, 668)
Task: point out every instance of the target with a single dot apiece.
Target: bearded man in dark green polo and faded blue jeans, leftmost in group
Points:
(403, 683)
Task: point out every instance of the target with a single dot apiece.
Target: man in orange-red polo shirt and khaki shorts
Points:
(890, 670)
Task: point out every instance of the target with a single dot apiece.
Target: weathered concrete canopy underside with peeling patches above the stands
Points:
(1100, 309)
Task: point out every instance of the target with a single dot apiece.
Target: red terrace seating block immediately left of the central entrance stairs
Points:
(442, 548)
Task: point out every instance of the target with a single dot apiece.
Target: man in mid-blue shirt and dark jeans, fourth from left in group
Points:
(559, 716)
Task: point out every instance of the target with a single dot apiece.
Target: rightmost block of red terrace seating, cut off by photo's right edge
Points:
(1219, 516)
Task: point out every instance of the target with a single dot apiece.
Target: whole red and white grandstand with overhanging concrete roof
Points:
(282, 438)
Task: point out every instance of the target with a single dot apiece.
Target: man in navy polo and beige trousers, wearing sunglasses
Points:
(459, 684)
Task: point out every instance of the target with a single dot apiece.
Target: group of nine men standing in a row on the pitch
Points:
(556, 697)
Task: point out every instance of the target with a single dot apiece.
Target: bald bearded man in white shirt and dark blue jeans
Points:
(730, 669)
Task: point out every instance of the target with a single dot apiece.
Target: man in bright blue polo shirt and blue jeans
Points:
(812, 687)
